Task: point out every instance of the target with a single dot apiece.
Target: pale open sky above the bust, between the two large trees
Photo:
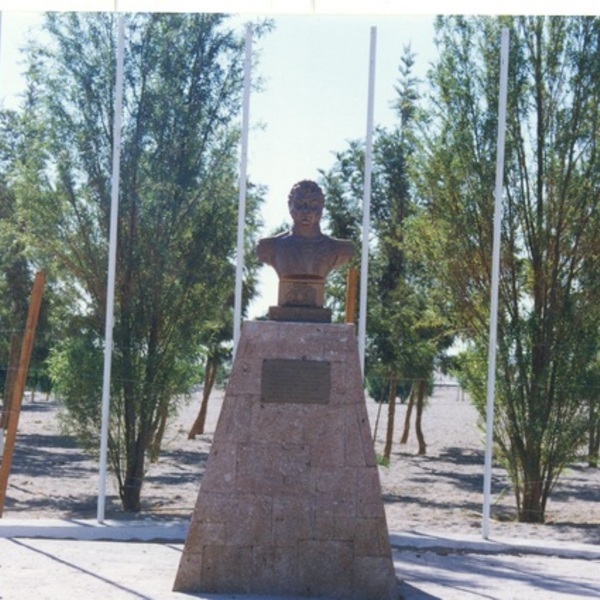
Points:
(315, 97)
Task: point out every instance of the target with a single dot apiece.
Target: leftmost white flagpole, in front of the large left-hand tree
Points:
(112, 255)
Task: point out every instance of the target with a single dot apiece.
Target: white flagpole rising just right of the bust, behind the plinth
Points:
(364, 265)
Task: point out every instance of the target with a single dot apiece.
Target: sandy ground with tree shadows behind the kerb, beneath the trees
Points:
(440, 492)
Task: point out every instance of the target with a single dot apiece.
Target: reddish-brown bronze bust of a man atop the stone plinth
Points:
(303, 257)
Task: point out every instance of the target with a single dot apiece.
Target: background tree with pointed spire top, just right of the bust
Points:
(404, 326)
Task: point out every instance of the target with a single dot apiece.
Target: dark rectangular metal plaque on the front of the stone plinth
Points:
(295, 381)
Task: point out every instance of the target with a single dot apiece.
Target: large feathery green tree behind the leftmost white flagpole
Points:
(177, 210)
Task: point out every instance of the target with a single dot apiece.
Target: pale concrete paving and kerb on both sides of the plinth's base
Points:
(80, 559)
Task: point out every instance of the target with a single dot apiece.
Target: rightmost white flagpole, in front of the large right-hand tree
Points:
(487, 482)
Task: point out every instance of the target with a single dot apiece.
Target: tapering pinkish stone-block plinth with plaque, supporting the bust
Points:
(290, 502)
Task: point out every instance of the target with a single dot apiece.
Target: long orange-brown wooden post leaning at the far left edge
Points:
(19, 386)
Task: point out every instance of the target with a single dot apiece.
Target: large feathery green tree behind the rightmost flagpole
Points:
(547, 334)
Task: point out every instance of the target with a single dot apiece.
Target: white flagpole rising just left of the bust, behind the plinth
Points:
(237, 310)
